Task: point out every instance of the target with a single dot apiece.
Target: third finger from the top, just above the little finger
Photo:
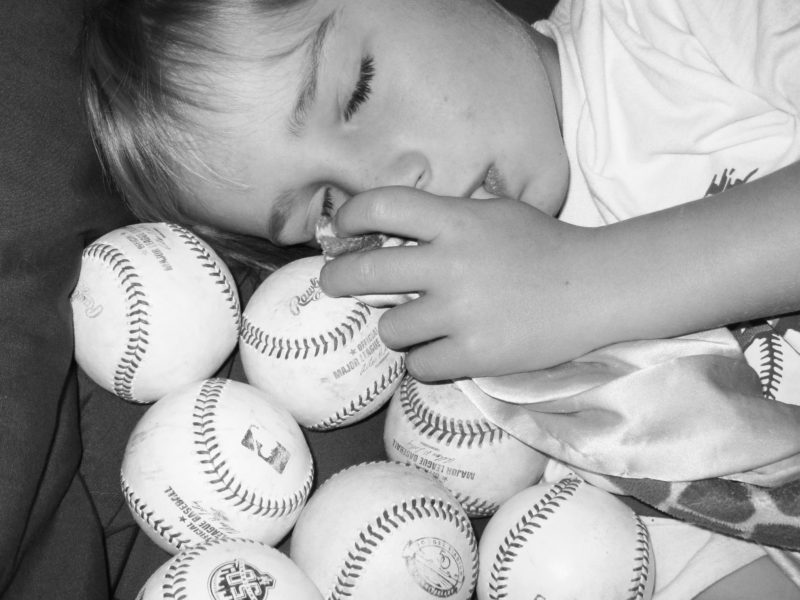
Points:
(410, 324)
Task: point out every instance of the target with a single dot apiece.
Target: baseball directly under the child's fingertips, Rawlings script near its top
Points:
(320, 357)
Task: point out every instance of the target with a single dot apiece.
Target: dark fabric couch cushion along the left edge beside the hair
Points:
(51, 201)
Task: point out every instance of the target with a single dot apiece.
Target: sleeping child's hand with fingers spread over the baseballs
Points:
(504, 286)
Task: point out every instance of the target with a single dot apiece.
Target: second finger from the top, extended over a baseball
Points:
(394, 270)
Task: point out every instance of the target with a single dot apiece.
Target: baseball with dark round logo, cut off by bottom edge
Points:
(235, 569)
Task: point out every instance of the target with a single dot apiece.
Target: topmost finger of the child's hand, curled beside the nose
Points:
(399, 211)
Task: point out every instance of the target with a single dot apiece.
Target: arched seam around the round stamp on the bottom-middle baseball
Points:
(389, 521)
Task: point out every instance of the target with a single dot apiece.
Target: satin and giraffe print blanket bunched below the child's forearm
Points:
(746, 484)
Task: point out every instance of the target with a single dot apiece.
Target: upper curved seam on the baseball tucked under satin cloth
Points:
(447, 430)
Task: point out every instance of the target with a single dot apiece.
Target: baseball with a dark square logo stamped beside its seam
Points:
(216, 459)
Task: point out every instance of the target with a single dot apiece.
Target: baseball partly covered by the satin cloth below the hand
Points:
(438, 429)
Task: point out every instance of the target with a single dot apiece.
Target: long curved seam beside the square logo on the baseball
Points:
(223, 478)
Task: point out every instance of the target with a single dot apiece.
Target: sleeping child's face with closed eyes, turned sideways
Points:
(450, 96)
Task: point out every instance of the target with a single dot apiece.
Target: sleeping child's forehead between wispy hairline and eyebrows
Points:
(252, 93)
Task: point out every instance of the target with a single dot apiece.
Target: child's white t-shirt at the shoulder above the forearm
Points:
(667, 101)
